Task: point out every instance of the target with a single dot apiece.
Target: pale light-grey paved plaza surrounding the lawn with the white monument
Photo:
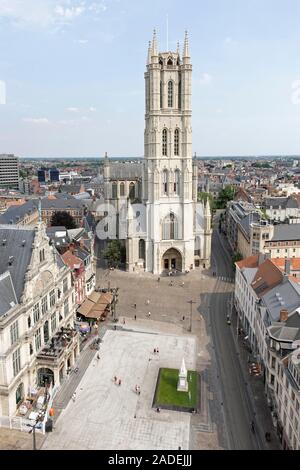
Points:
(108, 416)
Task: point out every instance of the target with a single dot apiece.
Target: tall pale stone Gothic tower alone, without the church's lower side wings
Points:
(170, 181)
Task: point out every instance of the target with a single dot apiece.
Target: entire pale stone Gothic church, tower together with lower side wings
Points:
(175, 233)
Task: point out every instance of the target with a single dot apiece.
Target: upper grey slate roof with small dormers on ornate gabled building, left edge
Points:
(15, 238)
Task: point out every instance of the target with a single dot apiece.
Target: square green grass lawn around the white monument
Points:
(167, 396)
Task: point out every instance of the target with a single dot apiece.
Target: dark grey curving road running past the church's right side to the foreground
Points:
(238, 412)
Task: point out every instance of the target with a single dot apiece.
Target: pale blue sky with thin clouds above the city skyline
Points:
(72, 75)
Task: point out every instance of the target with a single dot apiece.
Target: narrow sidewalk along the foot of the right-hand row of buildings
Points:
(262, 416)
